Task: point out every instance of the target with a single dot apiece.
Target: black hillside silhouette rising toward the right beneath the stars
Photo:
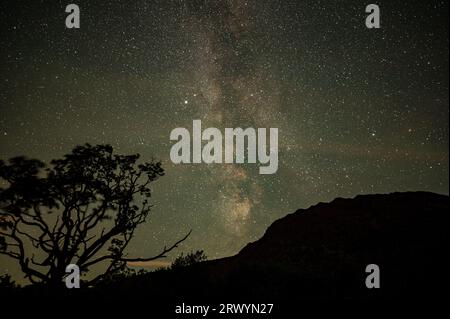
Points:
(319, 252)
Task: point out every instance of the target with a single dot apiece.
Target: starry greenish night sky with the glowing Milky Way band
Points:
(358, 110)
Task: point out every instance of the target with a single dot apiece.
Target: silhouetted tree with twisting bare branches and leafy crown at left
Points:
(82, 209)
